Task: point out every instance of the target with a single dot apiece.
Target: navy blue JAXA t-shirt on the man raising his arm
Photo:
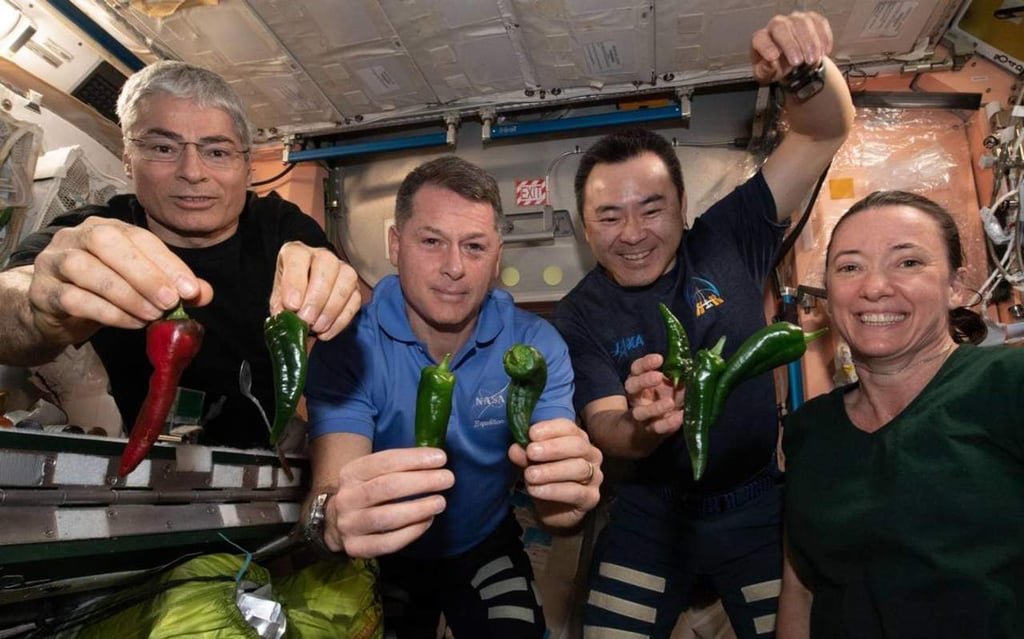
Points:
(716, 288)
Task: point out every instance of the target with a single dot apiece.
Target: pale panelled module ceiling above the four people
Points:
(313, 66)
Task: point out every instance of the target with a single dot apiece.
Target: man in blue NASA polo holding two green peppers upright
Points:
(441, 521)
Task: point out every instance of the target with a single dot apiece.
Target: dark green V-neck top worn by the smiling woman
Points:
(917, 530)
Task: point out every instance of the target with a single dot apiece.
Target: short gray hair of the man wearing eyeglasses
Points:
(186, 81)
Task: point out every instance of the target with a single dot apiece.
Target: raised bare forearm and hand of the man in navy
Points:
(820, 125)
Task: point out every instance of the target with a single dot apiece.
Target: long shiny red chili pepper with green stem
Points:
(170, 345)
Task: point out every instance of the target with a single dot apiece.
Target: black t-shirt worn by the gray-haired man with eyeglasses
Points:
(241, 270)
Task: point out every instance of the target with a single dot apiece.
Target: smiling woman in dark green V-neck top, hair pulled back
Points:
(903, 468)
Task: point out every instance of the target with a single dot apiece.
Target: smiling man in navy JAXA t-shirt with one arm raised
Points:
(670, 537)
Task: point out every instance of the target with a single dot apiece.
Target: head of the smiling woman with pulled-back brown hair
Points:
(892, 279)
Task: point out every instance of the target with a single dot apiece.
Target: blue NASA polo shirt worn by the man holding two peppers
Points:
(365, 382)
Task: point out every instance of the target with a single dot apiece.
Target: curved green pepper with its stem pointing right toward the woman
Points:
(769, 349)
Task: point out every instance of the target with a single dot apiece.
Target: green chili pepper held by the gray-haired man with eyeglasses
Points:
(286, 335)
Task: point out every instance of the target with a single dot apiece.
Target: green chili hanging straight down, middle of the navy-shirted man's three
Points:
(700, 405)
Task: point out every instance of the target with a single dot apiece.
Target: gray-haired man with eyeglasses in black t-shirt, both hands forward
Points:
(192, 232)
